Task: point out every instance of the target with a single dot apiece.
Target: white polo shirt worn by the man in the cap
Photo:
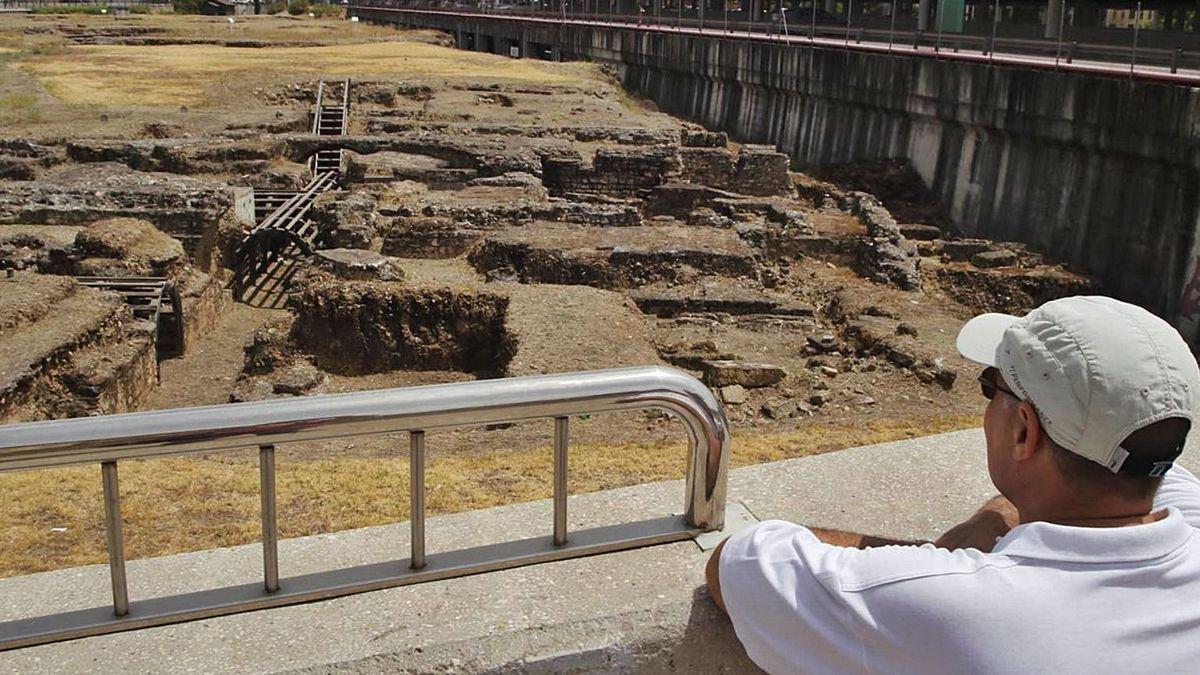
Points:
(1049, 599)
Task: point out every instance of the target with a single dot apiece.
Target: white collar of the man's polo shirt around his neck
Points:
(1065, 543)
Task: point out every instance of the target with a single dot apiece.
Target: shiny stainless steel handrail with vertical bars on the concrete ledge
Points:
(262, 426)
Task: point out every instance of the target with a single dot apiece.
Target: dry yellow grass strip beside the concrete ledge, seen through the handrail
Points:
(179, 505)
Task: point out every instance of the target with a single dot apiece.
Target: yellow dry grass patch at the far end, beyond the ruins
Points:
(197, 76)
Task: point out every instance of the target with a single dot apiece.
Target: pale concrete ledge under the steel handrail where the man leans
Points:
(635, 611)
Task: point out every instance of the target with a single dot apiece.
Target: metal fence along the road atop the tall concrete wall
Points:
(857, 22)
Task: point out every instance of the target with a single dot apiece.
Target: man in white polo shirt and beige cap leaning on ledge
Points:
(1090, 561)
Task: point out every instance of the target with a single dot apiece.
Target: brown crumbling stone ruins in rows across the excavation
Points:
(461, 240)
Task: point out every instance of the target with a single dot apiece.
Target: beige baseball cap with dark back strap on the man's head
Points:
(1096, 369)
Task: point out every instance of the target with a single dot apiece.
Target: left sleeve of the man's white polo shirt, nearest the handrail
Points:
(785, 606)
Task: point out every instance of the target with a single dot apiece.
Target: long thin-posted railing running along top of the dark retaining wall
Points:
(1127, 47)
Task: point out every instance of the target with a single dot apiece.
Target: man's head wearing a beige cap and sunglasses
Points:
(1090, 401)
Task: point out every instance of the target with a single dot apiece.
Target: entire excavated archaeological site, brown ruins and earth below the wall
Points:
(298, 234)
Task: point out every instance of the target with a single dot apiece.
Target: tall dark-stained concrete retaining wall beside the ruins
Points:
(1100, 172)
